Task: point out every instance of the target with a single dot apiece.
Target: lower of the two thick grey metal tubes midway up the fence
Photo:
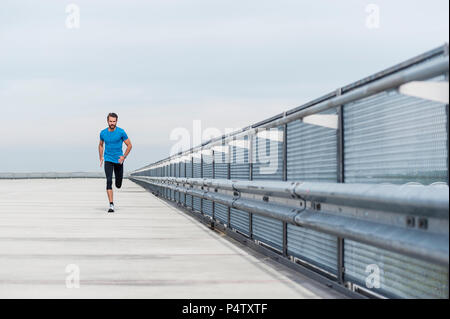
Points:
(432, 247)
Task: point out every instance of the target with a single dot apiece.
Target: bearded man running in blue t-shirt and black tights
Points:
(113, 137)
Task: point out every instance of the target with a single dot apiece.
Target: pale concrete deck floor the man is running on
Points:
(147, 249)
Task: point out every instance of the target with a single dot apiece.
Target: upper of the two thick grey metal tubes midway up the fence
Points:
(407, 199)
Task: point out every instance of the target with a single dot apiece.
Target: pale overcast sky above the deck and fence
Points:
(161, 64)
